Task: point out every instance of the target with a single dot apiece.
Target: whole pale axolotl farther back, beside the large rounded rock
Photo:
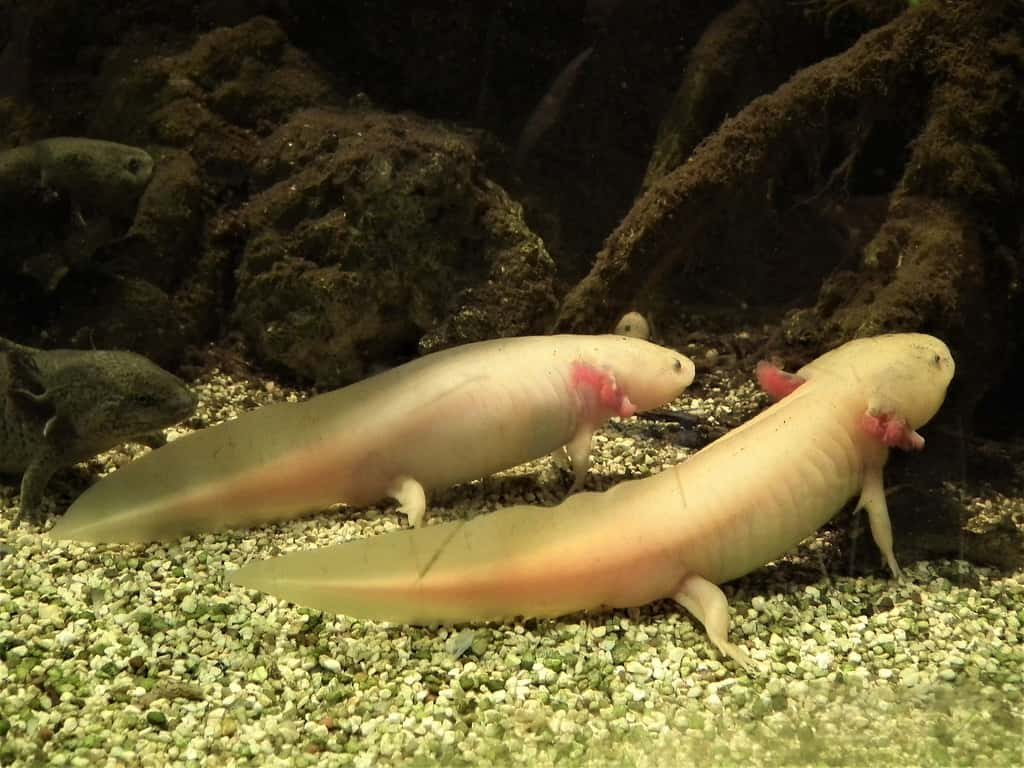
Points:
(449, 417)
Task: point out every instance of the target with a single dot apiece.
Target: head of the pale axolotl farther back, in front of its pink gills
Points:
(649, 375)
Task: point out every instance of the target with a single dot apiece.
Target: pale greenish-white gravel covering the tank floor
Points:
(132, 656)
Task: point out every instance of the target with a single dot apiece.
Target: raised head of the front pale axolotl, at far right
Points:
(905, 374)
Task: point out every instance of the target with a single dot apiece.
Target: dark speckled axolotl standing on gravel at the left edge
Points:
(64, 406)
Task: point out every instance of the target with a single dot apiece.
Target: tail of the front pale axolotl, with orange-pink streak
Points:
(530, 562)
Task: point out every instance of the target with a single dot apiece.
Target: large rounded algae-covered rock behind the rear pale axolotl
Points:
(374, 234)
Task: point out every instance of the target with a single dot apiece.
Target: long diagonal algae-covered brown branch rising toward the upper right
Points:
(751, 166)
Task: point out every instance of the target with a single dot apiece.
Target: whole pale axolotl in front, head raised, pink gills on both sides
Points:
(741, 502)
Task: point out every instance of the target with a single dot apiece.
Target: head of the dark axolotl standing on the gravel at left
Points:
(99, 400)
